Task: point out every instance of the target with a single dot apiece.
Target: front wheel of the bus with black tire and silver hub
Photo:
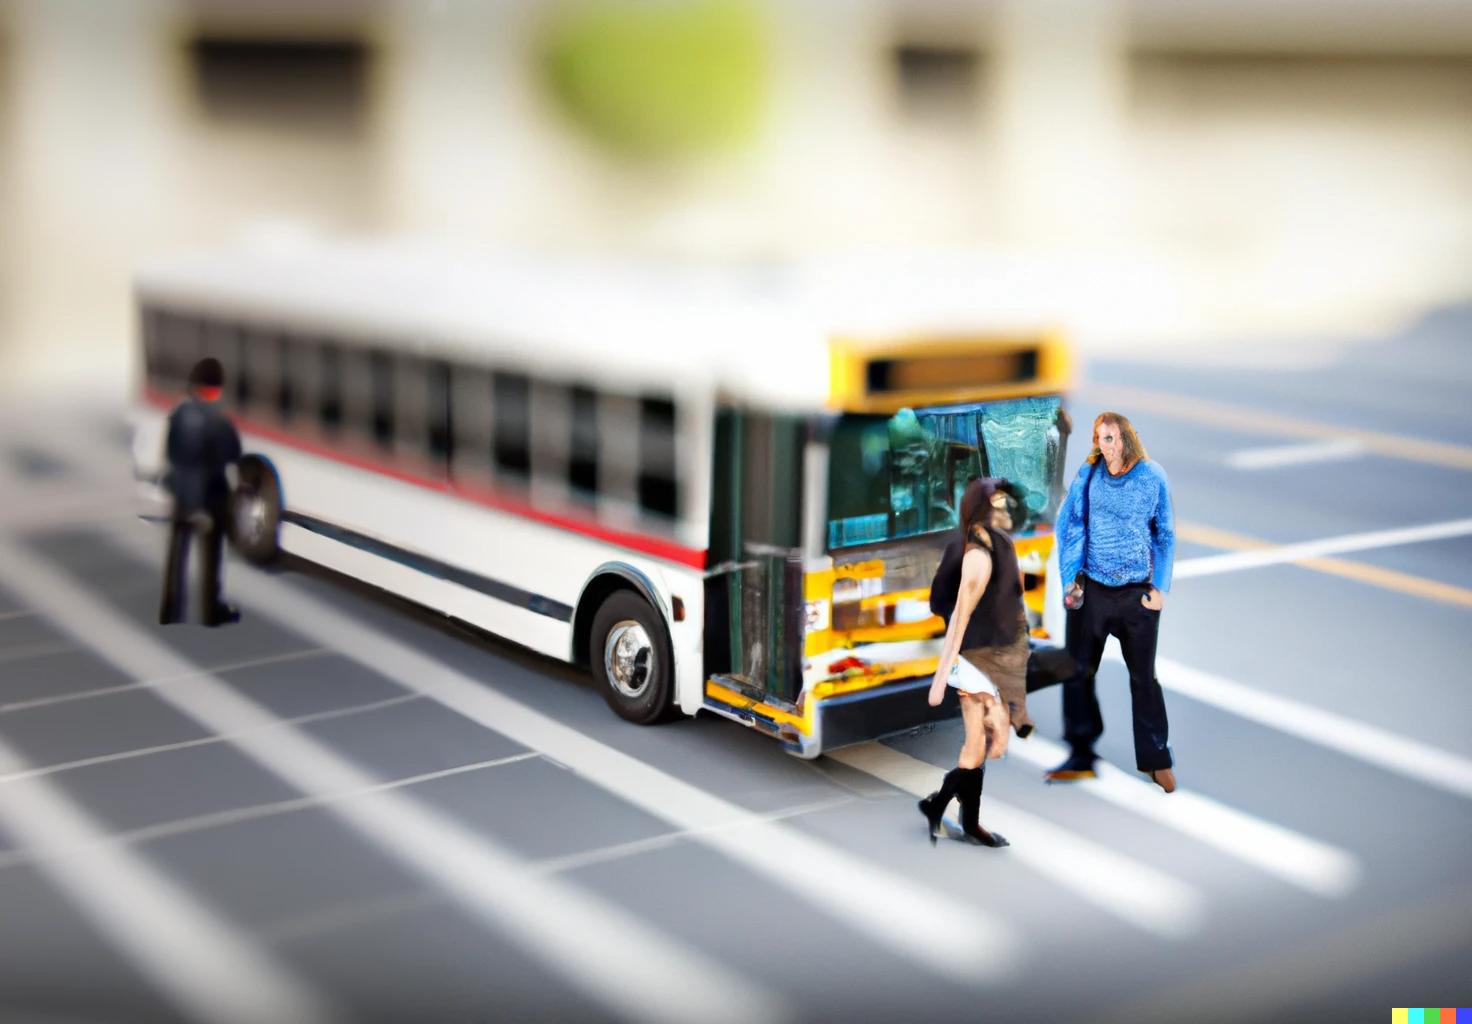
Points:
(640, 689)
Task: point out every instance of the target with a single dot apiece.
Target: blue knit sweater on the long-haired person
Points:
(1133, 535)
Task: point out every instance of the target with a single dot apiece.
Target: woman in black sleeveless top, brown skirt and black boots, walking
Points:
(990, 629)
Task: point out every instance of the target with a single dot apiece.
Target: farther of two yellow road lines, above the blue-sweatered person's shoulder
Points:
(1256, 422)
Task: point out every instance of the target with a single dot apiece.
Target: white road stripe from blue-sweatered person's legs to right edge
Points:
(1370, 744)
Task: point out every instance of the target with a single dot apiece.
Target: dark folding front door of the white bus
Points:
(754, 620)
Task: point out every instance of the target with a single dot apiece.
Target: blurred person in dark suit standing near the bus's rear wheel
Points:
(202, 444)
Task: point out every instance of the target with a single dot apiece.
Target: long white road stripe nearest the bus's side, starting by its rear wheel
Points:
(975, 948)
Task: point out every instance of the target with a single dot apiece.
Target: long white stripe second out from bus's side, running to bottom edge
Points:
(567, 931)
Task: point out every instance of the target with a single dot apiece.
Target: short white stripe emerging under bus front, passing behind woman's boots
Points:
(1139, 894)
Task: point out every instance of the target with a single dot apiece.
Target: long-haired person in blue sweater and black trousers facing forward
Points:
(1119, 561)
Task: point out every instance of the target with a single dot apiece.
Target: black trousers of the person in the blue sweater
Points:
(1117, 613)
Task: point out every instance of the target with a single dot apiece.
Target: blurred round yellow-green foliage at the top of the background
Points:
(659, 79)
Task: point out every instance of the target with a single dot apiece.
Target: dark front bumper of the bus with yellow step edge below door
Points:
(828, 723)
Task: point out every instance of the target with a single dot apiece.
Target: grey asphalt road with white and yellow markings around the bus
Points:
(345, 810)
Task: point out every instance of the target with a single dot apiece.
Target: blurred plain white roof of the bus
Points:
(760, 335)
